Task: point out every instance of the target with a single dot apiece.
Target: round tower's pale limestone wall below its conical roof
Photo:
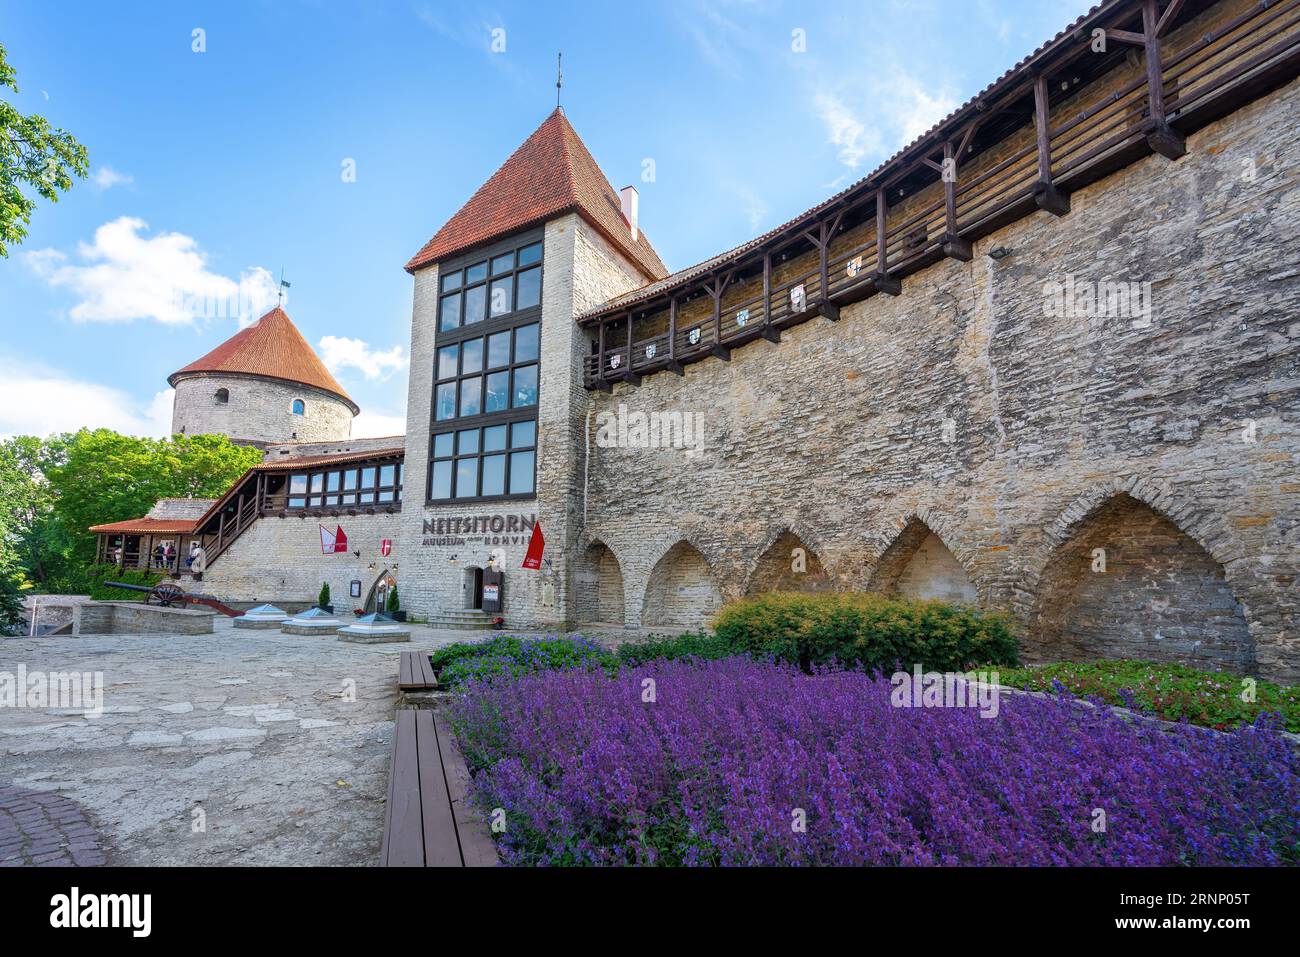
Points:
(258, 410)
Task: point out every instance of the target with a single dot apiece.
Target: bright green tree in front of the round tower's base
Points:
(101, 477)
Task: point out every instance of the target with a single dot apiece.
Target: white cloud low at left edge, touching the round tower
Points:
(40, 402)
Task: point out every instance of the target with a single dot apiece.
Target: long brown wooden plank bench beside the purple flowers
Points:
(430, 821)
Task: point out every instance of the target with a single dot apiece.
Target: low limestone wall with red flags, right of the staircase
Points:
(280, 561)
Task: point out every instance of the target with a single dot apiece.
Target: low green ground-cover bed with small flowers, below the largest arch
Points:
(1173, 692)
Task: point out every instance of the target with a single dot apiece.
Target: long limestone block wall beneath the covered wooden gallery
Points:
(973, 408)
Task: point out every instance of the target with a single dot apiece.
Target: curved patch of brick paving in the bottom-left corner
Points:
(46, 830)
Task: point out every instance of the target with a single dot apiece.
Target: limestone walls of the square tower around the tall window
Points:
(580, 270)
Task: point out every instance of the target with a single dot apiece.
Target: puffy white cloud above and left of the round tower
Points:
(125, 276)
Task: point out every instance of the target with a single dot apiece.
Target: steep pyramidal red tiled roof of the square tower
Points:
(552, 174)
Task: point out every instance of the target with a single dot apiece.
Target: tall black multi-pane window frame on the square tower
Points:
(508, 323)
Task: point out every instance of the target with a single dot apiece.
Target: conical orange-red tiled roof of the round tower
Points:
(271, 348)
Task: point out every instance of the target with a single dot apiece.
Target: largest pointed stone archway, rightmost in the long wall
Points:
(1130, 583)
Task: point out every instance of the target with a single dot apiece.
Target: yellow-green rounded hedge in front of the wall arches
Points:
(866, 630)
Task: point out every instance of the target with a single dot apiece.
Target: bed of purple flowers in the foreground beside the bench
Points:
(713, 773)
